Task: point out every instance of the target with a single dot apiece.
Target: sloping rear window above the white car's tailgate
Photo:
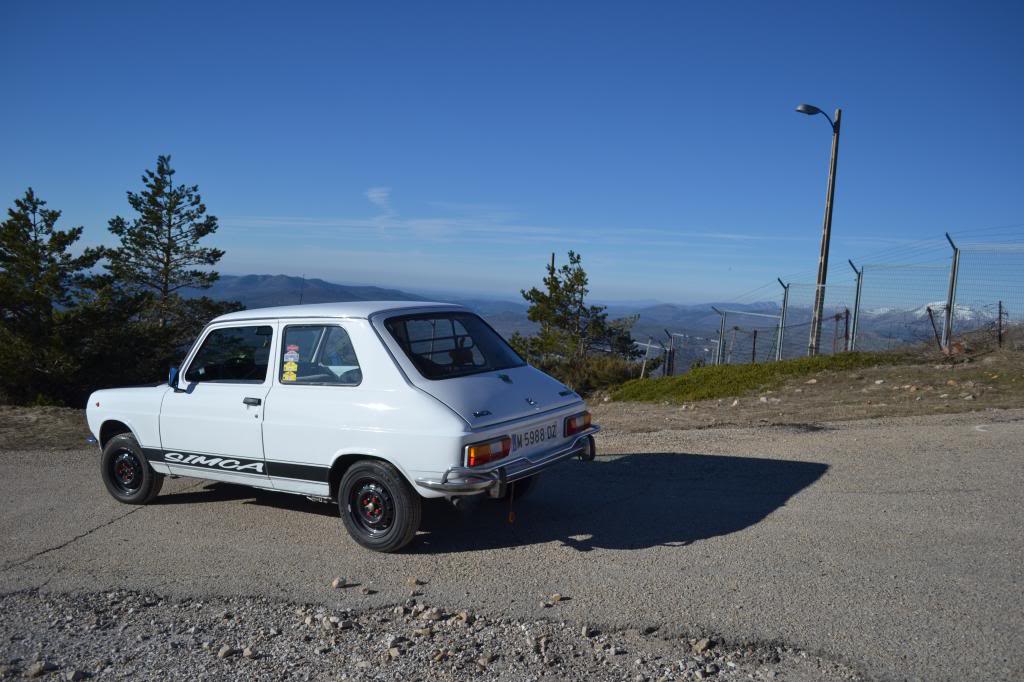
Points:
(444, 346)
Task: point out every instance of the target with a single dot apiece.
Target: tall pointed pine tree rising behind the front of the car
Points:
(160, 250)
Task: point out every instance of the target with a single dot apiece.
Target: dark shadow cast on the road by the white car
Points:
(627, 502)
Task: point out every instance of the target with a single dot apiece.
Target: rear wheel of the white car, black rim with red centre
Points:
(379, 508)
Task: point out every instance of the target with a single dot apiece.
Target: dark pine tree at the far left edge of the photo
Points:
(40, 280)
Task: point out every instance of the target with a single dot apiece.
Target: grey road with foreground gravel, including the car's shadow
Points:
(888, 549)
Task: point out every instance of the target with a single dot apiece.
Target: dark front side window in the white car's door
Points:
(233, 354)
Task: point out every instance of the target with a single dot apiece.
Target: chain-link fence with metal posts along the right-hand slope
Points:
(977, 289)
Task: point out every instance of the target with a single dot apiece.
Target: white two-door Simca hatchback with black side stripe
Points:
(374, 405)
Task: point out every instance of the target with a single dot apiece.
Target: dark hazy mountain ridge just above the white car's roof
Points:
(262, 291)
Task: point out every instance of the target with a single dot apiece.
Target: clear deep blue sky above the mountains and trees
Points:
(454, 146)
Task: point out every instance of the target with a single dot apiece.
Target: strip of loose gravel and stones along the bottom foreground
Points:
(124, 634)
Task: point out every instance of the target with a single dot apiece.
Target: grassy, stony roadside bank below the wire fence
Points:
(810, 393)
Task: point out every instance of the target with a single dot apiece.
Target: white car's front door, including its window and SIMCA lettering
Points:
(211, 424)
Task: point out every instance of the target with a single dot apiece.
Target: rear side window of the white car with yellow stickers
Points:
(319, 355)
